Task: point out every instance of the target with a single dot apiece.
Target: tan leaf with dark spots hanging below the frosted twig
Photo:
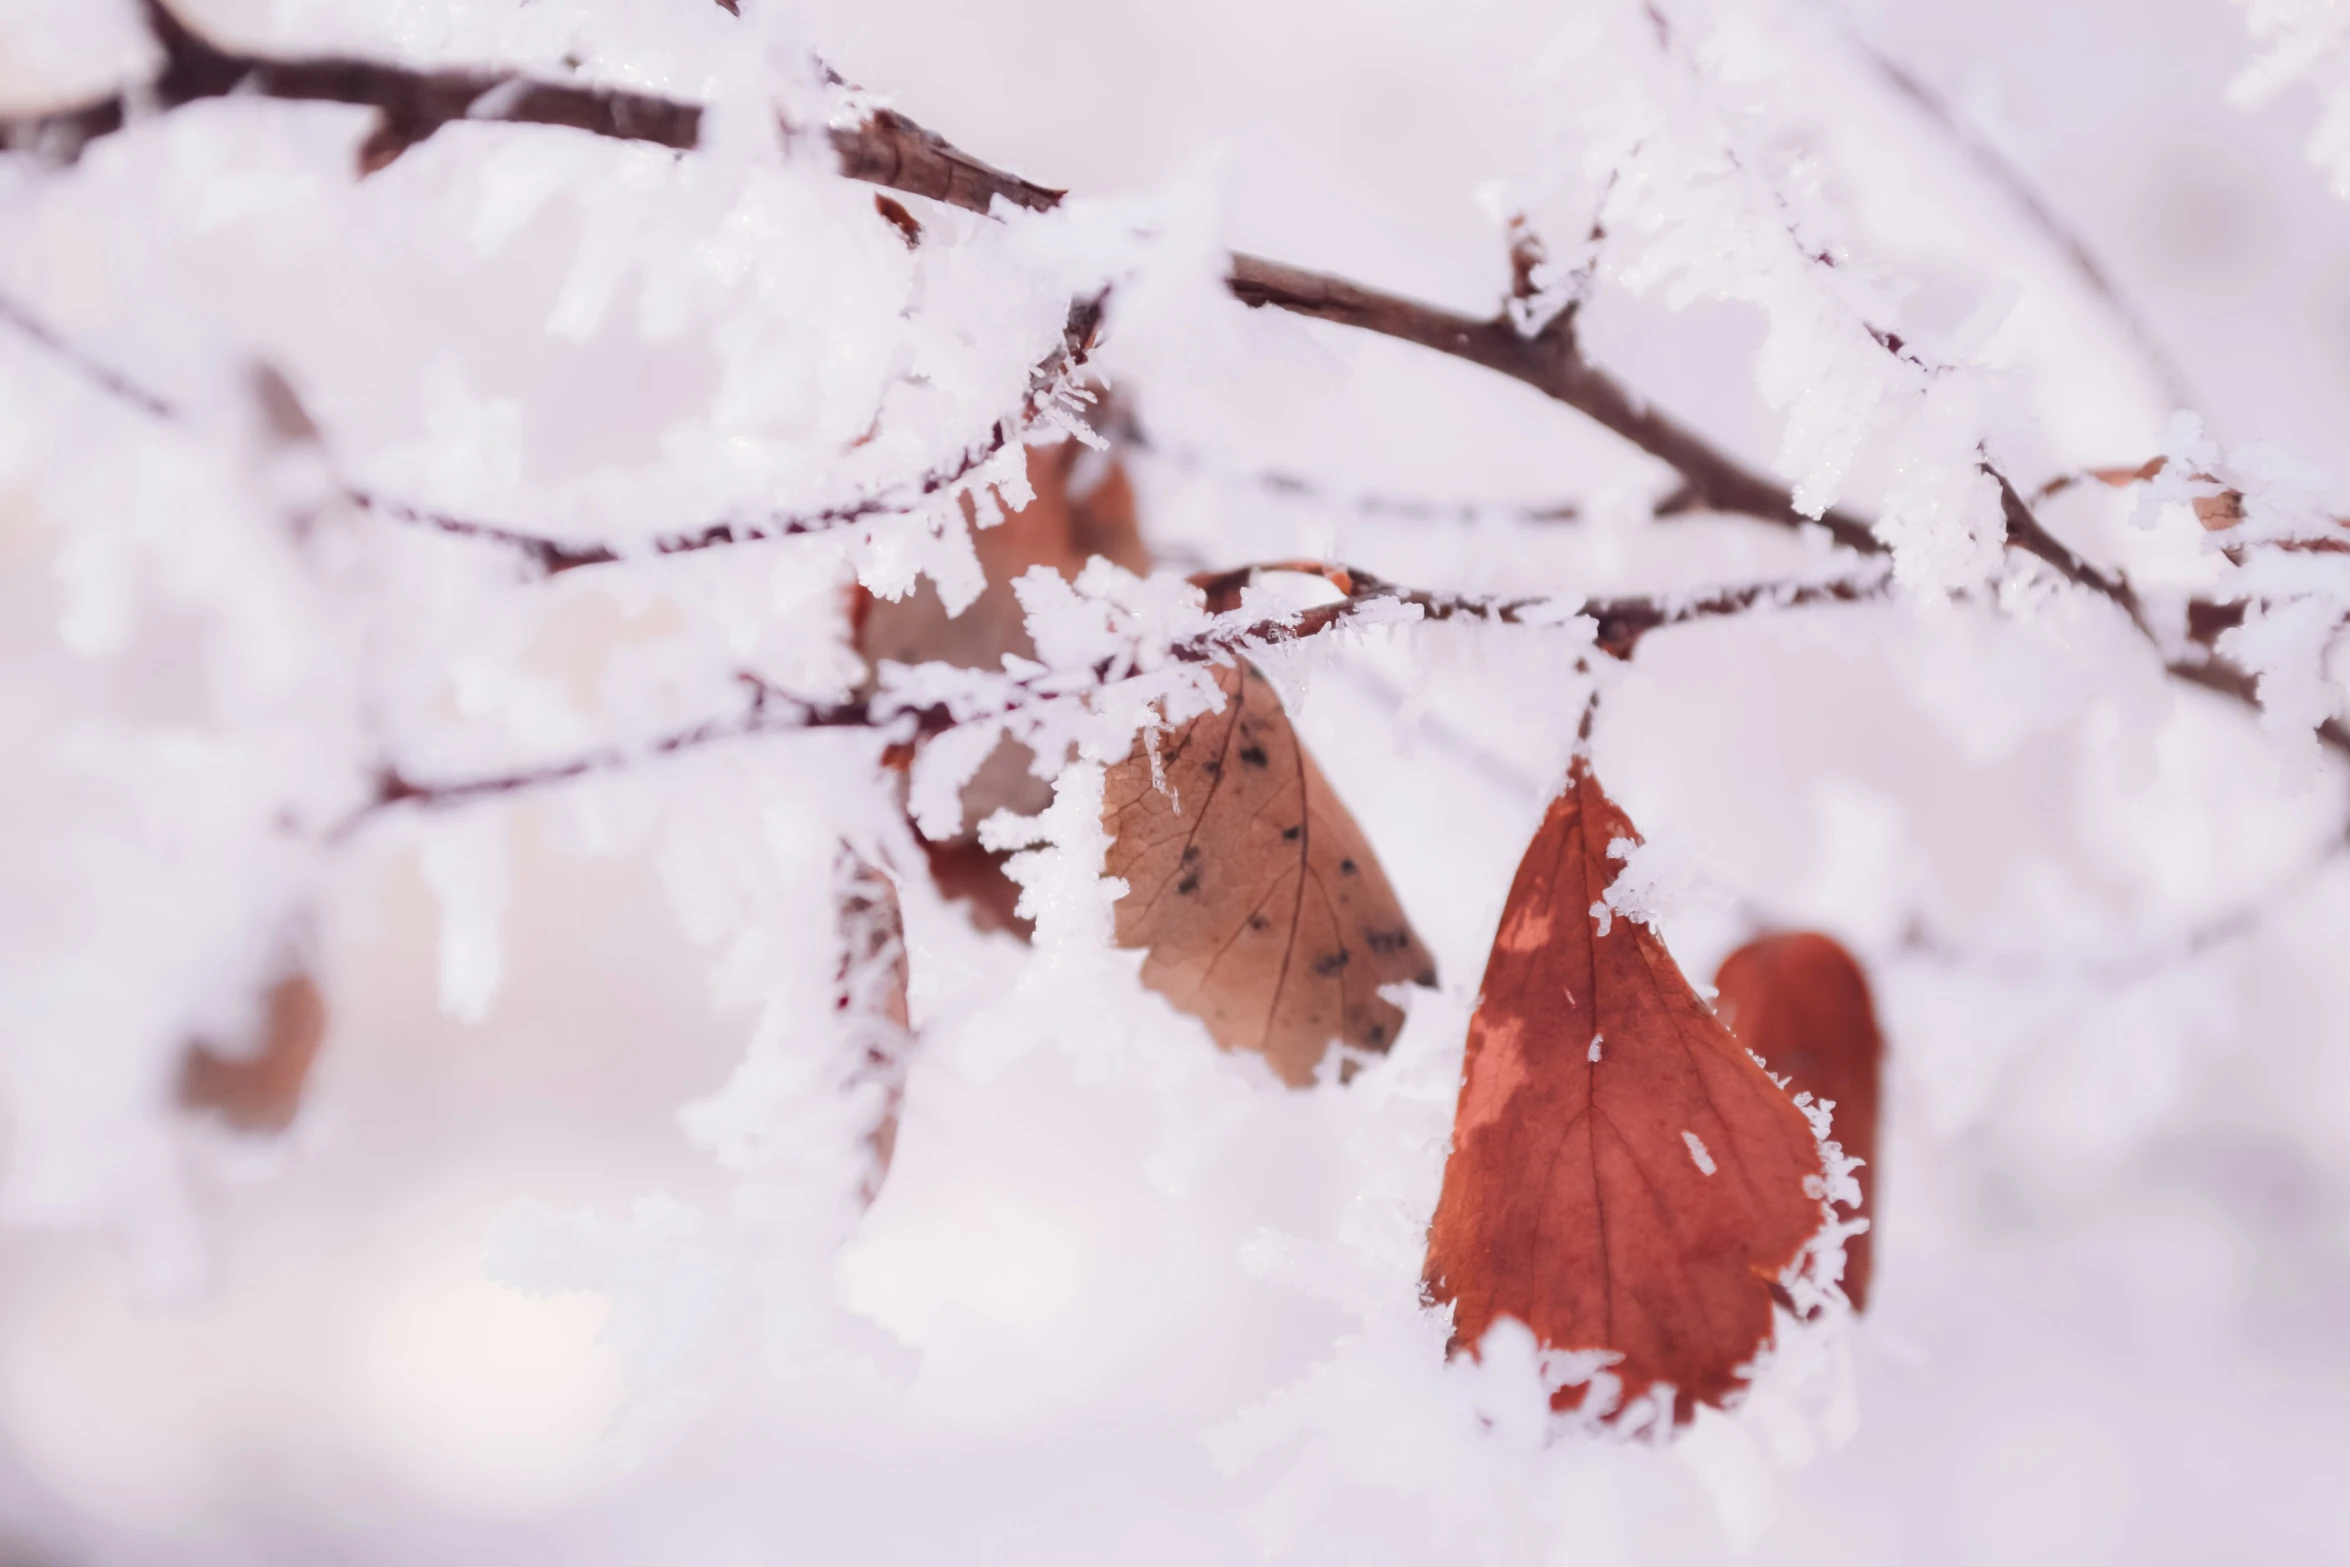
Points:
(1261, 906)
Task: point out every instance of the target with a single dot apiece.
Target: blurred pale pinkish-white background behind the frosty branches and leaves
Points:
(2114, 1267)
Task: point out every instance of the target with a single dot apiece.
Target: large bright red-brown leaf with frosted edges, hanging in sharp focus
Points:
(1625, 1178)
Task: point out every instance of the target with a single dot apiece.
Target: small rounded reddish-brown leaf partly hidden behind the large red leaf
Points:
(1801, 1004)
